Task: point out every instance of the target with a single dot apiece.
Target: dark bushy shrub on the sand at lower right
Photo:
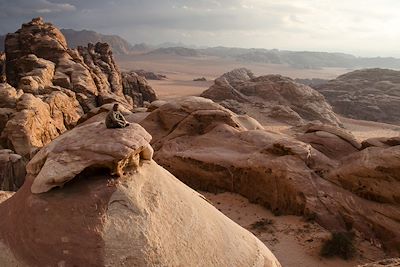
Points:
(341, 245)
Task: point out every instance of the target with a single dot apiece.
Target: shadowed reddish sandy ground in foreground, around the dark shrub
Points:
(293, 241)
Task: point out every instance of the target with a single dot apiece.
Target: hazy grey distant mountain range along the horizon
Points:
(296, 59)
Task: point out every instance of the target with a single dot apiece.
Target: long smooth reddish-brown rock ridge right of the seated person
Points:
(210, 148)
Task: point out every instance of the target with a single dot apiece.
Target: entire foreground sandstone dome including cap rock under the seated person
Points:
(145, 217)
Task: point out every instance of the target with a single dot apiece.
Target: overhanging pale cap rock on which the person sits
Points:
(78, 149)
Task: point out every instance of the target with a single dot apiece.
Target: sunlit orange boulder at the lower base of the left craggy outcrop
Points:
(38, 121)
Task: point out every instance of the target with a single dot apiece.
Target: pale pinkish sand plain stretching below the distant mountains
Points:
(181, 71)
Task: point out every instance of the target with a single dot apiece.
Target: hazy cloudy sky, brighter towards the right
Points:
(360, 27)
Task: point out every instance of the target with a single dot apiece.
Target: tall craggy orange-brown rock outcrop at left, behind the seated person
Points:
(50, 87)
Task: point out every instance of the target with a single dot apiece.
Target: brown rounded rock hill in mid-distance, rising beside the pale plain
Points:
(270, 98)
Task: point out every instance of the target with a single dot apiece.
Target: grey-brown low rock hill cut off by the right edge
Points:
(369, 94)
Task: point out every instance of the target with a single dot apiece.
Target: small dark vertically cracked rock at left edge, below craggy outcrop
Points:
(12, 170)
